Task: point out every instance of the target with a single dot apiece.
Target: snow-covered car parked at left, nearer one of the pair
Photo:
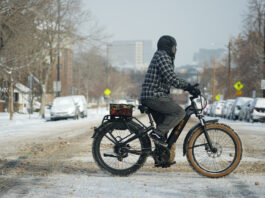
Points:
(64, 107)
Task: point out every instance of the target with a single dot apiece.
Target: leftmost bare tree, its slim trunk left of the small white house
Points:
(16, 23)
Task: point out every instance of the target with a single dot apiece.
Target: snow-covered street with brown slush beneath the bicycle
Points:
(53, 159)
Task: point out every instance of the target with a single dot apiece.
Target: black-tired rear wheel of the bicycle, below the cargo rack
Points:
(114, 157)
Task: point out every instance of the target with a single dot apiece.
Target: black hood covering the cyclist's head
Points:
(167, 43)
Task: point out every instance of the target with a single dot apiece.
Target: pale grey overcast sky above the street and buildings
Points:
(194, 23)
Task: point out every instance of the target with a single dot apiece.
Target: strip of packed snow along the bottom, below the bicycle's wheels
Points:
(141, 184)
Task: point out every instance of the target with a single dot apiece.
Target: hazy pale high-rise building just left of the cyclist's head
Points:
(135, 54)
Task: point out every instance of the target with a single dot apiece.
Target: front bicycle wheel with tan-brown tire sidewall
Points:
(225, 158)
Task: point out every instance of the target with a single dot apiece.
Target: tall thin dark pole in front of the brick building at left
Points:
(58, 52)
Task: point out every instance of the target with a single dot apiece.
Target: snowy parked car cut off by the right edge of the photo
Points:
(257, 110)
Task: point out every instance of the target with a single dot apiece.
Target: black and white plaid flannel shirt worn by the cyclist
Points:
(160, 77)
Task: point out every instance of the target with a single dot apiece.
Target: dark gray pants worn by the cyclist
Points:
(166, 113)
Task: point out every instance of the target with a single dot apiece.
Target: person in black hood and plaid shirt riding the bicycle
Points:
(155, 94)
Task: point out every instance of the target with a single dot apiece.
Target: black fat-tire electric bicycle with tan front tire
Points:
(121, 144)
